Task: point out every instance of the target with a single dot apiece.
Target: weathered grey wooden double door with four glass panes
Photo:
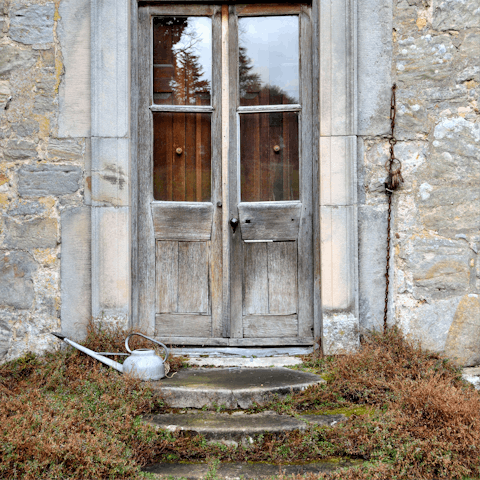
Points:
(225, 253)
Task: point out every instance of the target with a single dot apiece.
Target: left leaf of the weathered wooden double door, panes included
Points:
(179, 201)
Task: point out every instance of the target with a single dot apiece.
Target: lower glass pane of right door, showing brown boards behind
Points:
(269, 159)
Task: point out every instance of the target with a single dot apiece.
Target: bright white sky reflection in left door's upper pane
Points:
(199, 28)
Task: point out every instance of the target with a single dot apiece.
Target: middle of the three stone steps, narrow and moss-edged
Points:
(238, 427)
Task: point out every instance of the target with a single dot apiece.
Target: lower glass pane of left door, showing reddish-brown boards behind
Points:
(182, 157)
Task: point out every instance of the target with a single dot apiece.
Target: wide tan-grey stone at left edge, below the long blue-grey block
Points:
(36, 233)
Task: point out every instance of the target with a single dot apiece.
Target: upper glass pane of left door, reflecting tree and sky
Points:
(182, 60)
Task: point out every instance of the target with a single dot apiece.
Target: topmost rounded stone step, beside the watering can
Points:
(231, 388)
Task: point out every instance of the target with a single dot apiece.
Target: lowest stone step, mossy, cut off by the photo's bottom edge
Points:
(234, 471)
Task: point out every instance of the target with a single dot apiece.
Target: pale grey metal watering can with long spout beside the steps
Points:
(142, 363)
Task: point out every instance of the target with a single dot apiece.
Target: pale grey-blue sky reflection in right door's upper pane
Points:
(272, 45)
